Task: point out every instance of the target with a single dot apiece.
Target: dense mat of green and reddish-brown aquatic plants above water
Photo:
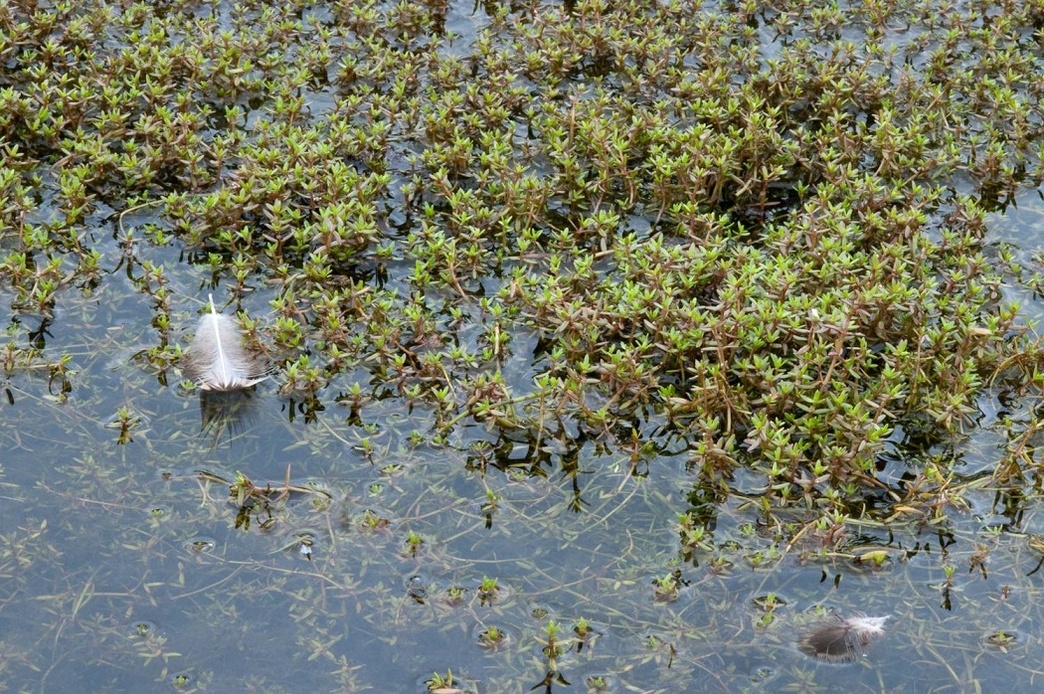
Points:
(764, 221)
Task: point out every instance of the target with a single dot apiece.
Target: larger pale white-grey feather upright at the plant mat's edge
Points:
(217, 361)
